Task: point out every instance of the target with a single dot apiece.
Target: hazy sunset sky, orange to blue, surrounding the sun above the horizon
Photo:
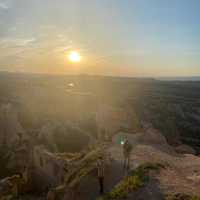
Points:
(113, 37)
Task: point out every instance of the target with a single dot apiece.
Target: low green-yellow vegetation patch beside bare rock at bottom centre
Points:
(135, 180)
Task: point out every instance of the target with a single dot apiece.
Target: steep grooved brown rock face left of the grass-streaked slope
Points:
(47, 169)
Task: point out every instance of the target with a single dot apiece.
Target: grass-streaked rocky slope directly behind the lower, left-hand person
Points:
(81, 178)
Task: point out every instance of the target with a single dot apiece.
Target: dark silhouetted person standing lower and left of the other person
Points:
(101, 169)
